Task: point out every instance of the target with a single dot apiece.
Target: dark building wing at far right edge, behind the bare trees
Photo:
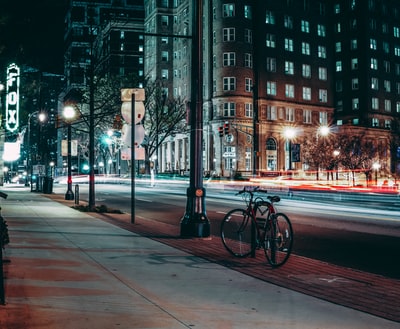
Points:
(366, 39)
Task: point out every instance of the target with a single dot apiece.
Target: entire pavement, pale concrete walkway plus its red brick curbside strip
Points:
(71, 270)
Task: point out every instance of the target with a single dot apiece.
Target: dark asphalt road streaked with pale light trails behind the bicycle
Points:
(354, 236)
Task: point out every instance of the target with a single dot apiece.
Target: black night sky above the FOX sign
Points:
(31, 33)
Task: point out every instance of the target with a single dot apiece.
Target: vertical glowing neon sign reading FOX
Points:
(12, 98)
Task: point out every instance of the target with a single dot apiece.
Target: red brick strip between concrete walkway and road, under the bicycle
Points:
(358, 290)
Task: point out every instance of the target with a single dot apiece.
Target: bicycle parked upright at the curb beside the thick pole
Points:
(258, 226)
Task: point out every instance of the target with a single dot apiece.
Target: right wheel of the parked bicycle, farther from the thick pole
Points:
(278, 239)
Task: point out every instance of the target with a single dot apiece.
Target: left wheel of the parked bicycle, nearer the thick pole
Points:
(237, 228)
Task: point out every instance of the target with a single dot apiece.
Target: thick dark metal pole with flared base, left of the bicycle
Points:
(195, 223)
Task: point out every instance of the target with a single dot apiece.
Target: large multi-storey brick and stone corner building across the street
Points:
(274, 66)
